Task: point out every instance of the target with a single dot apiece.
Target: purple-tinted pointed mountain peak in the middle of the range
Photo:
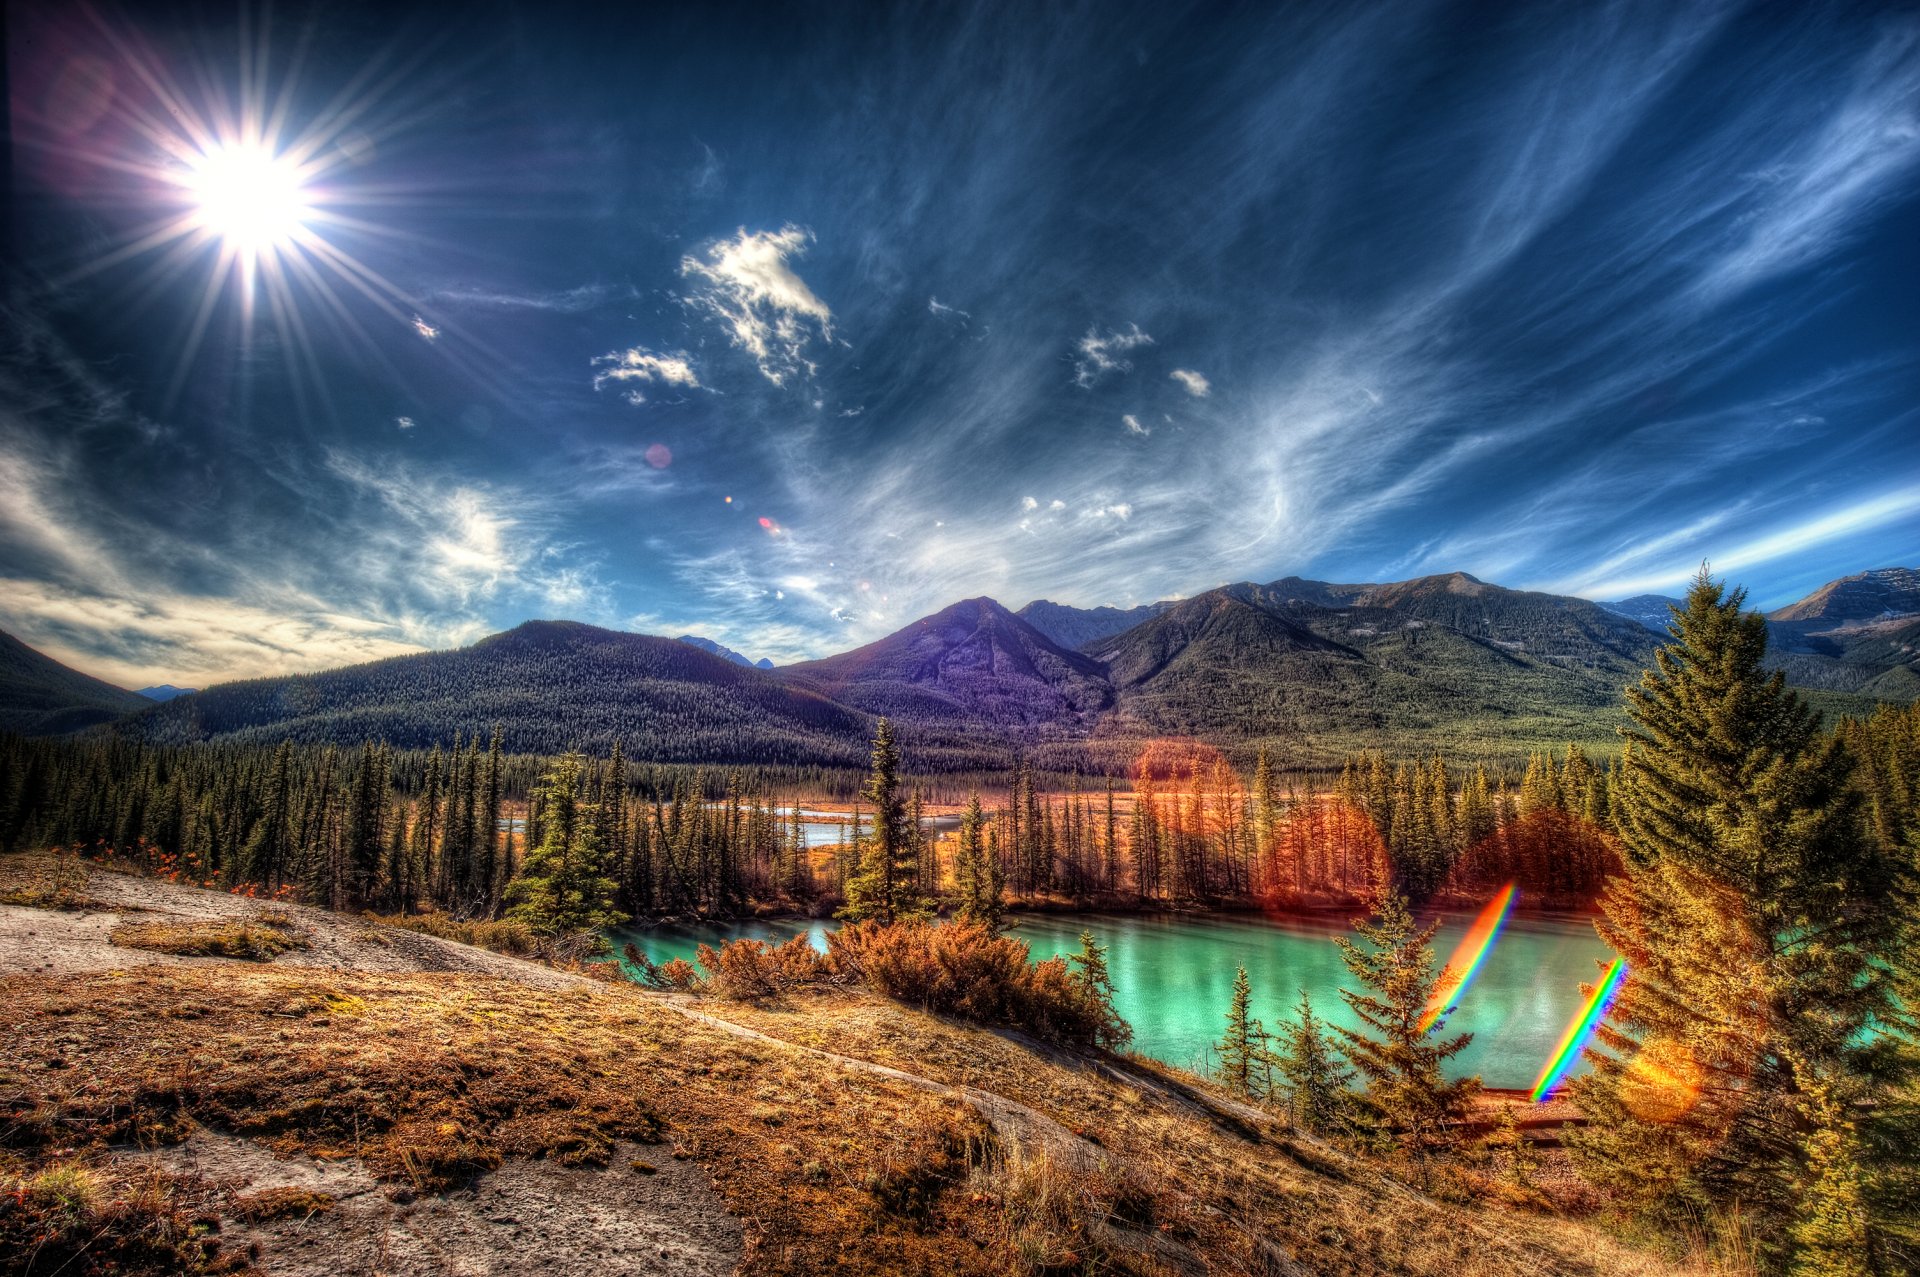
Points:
(972, 663)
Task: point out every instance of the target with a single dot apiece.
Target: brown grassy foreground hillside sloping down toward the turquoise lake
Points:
(377, 1101)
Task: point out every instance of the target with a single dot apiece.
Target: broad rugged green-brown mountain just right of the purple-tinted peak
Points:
(1320, 669)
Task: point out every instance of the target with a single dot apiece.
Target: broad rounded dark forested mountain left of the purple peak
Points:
(550, 687)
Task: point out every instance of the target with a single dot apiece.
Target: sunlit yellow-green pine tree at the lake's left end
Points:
(564, 886)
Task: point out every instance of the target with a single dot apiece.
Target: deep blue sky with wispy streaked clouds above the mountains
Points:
(792, 325)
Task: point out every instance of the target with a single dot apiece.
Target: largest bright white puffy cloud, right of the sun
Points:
(752, 289)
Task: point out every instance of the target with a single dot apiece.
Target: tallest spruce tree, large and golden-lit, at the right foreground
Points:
(1756, 925)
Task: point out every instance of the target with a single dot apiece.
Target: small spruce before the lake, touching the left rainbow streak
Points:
(1401, 1059)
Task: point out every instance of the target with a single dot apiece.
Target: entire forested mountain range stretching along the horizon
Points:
(1307, 669)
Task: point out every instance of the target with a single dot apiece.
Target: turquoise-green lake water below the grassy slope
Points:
(1174, 976)
